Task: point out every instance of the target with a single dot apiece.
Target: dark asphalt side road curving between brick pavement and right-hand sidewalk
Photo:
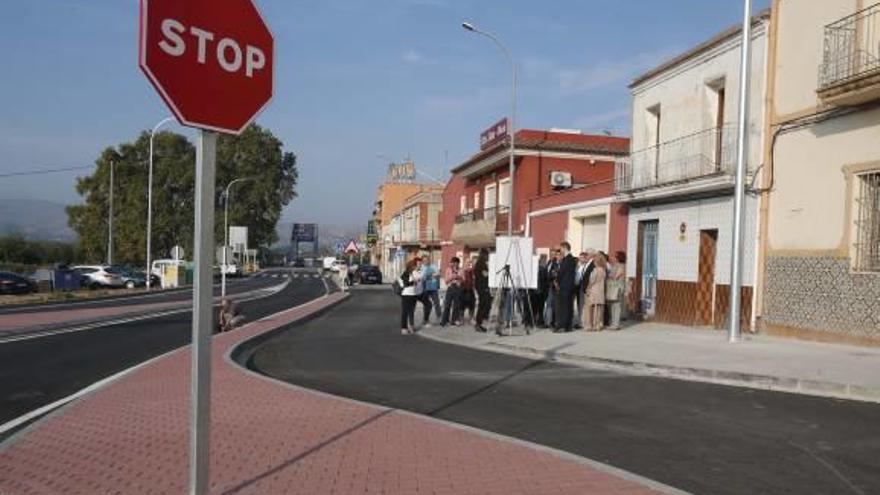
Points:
(699, 437)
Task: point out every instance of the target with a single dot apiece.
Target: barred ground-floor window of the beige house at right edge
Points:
(867, 246)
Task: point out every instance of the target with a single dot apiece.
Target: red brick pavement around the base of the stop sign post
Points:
(131, 437)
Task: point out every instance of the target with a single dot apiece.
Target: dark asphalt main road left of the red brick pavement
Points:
(40, 371)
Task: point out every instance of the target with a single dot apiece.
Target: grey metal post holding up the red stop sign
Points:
(202, 323)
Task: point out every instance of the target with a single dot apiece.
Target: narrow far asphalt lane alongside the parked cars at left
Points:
(233, 286)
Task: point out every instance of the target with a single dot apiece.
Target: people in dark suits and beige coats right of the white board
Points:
(584, 292)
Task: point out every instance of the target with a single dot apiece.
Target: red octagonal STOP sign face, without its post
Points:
(210, 60)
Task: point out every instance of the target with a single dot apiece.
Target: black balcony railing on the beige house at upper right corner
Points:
(852, 48)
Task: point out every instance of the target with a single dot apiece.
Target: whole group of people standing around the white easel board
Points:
(583, 292)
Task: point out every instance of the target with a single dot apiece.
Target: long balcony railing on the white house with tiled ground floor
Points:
(708, 153)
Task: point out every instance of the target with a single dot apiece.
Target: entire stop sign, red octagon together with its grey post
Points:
(212, 63)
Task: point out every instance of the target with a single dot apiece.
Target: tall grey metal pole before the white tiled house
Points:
(742, 147)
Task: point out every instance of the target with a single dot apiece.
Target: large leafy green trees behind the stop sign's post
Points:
(255, 154)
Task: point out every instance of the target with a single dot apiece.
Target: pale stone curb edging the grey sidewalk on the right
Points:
(814, 388)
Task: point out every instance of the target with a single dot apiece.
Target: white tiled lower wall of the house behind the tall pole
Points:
(678, 256)
